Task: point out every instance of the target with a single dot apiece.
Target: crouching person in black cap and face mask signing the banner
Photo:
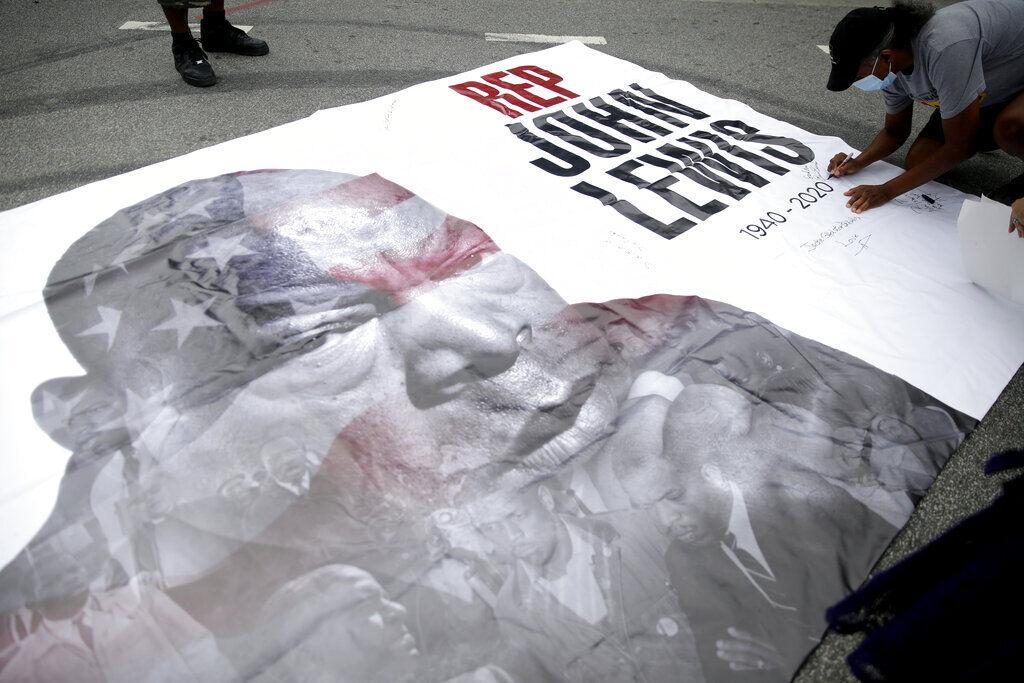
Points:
(966, 62)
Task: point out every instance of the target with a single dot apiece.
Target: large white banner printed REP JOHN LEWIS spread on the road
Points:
(609, 182)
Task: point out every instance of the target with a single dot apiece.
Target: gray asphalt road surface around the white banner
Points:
(84, 100)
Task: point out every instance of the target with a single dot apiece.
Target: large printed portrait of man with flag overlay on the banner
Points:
(327, 432)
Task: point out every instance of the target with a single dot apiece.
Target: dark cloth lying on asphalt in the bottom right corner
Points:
(948, 612)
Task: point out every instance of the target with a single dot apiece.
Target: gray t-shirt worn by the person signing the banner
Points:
(969, 50)
